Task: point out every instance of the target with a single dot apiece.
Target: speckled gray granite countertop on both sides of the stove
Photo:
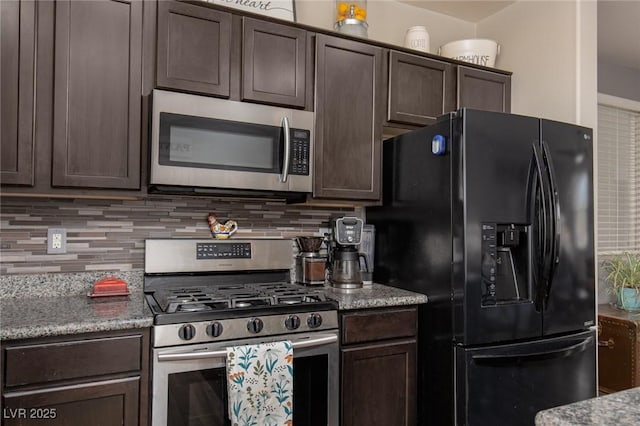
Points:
(49, 305)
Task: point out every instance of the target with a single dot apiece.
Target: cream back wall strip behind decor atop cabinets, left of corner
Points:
(388, 21)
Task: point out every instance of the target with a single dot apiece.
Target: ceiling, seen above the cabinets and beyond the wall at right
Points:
(618, 24)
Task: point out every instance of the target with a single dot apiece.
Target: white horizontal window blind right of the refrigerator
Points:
(618, 209)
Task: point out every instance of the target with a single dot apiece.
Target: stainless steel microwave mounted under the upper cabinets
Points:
(203, 142)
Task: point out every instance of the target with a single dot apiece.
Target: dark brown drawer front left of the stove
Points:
(43, 363)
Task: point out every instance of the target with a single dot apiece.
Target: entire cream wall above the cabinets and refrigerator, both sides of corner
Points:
(550, 47)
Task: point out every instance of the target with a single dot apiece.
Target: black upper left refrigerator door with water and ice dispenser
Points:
(495, 289)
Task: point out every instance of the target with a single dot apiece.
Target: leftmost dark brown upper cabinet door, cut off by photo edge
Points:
(17, 73)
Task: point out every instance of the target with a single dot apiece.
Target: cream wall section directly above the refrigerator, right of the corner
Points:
(552, 50)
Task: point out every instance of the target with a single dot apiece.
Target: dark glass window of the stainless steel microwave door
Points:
(187, 141)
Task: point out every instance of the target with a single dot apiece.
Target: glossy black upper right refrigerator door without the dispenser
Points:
(570, 293)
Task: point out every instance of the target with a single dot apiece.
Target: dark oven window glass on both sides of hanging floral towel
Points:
(198, 398)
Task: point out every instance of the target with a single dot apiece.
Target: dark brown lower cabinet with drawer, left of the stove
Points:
(92, 379)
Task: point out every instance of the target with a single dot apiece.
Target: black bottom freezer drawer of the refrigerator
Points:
(509, 384)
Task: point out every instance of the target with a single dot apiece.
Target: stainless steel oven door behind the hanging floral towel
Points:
(190, 382)
